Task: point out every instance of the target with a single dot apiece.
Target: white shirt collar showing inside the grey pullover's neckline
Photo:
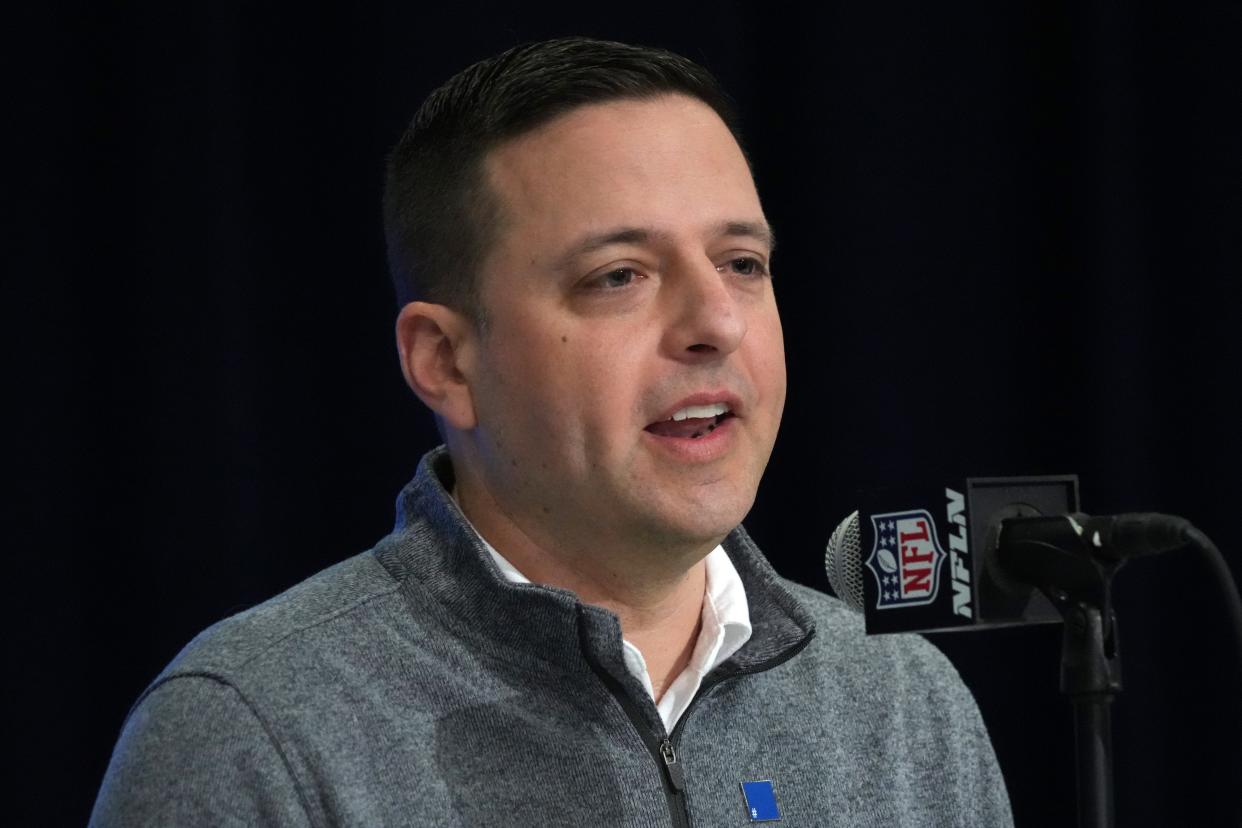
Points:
(725, 630)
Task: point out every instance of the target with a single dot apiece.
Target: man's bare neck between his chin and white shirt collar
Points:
(660, 609)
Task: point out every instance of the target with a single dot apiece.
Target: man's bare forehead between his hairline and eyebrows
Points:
(668, 164)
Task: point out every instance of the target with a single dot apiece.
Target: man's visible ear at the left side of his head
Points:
(435, 344)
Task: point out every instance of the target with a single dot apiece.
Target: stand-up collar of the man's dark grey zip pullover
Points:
(440, 560)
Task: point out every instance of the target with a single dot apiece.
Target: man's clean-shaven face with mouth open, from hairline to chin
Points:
(628, 286)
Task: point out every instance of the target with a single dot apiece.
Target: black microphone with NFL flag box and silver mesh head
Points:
(984, 553)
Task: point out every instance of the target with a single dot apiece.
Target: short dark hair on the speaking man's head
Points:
(440, 215)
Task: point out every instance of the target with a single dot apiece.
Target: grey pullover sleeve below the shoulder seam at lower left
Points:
(193, 753)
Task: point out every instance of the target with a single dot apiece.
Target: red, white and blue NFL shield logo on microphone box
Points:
(906, 559)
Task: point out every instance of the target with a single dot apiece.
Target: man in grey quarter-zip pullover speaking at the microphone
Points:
(568, 625)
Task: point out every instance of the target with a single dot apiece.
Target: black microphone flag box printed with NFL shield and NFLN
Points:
(926, 554)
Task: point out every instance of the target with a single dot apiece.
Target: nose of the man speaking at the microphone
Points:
(707, 321)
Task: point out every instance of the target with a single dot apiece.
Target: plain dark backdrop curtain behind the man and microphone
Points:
(1009, 244)
